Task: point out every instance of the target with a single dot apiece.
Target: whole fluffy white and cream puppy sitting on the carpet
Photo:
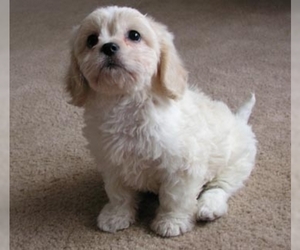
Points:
(148, 130)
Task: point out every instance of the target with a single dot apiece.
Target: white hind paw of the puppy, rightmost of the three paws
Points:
(211, 205)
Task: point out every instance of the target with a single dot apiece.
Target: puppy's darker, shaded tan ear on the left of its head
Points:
(76, 84)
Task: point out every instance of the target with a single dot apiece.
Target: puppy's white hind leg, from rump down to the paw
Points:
(212, 203)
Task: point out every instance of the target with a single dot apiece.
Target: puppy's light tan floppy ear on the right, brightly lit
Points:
(172, 77)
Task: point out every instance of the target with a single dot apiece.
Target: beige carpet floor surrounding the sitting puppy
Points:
(231, 48)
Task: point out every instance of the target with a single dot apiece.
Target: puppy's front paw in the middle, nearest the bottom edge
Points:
(167, 226)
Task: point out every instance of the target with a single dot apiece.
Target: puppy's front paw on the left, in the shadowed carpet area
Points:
(112, 219)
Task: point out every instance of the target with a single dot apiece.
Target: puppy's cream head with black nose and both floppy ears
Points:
(120, 51)
